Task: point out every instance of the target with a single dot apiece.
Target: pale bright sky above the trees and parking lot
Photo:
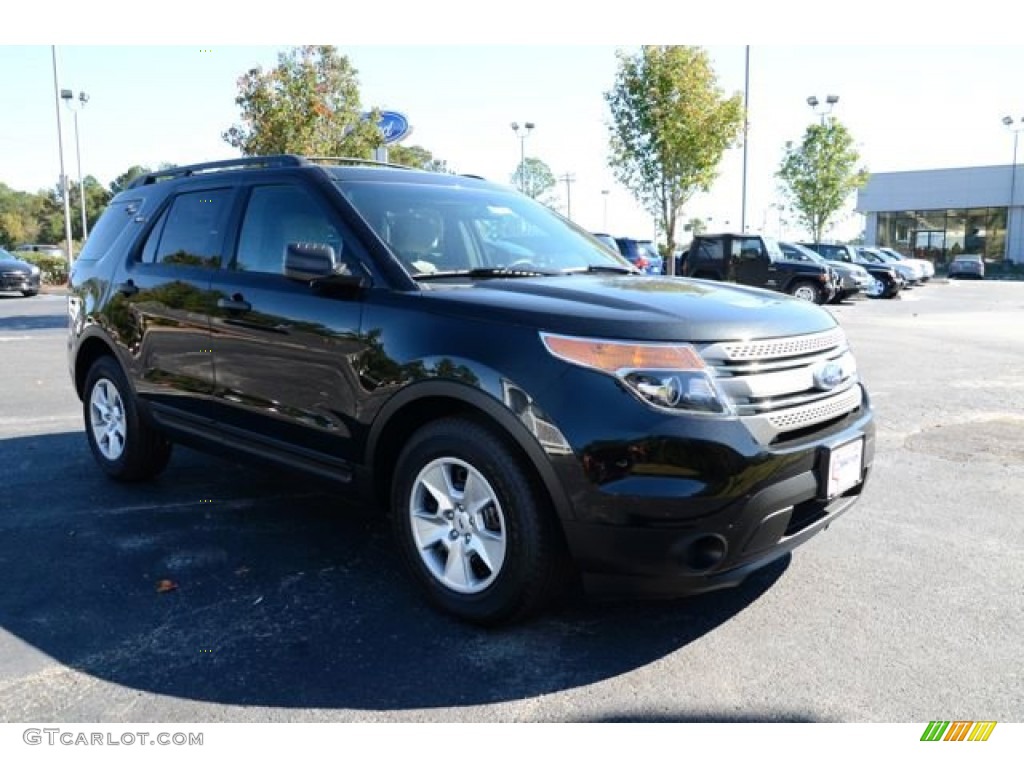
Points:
(909, 107)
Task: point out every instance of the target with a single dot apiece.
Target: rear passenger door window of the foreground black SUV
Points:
(192, 233)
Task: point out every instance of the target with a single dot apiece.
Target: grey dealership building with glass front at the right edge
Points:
(942, 214)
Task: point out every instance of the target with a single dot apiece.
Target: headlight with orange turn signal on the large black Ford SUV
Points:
(668, 376)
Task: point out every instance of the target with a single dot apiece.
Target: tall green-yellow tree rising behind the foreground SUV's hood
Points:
(671, 124)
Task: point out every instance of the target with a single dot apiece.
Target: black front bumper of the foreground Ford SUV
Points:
(677, 532)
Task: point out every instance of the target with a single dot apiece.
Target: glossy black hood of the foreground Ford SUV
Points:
(632, 308)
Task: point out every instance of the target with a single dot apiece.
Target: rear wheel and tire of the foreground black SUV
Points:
(124, 446)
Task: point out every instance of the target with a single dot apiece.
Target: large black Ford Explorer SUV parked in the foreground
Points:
(517, 396)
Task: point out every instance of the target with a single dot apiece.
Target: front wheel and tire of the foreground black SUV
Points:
(451, 537)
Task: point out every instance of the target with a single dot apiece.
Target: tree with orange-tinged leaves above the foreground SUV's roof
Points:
(309, 105)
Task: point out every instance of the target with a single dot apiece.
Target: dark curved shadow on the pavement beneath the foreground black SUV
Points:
(224, 583)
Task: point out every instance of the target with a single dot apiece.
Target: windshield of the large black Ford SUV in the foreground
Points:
(440, 229)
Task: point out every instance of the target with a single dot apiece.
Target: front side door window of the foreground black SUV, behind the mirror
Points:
(279, 216)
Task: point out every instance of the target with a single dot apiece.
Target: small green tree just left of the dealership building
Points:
(821, 174)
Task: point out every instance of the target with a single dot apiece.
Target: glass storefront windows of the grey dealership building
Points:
(943, 236)
